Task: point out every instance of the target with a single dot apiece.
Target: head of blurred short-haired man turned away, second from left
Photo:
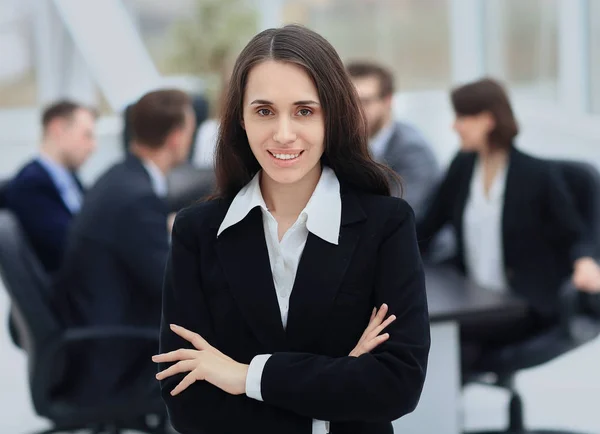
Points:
(162, 127)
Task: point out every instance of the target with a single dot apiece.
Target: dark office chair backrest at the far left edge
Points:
(28, 287)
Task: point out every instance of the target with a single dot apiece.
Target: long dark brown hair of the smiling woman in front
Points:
(346, 140)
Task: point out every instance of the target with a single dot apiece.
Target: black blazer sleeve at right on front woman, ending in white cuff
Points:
(376, 387)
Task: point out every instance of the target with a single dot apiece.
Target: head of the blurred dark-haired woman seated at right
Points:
(484, 117)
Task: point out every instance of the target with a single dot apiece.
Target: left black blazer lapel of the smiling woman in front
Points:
(243, 254)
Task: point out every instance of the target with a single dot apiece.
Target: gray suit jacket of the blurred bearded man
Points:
(411, 157)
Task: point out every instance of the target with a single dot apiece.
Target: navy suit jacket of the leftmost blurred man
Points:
(36, 201)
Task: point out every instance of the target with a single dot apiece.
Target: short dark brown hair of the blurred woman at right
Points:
(488, 95)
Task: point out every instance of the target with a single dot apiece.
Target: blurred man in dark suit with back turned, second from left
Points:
(114, 262)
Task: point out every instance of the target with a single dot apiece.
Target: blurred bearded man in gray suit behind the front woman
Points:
(395, 143)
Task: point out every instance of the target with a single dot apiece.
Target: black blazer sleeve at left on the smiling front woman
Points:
(204, 407)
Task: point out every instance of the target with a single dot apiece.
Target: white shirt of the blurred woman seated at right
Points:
(482, 228)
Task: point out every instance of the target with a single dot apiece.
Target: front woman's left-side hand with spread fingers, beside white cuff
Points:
(206, 363)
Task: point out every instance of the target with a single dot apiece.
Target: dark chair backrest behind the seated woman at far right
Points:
(583, 180)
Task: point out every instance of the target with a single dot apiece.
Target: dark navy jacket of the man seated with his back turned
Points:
(113, 269)
